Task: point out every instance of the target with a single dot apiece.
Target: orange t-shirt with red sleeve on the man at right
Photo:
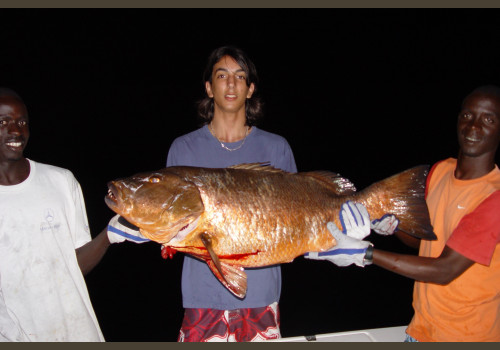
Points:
(465, 215)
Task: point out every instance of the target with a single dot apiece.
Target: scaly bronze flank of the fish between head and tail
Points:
(257, 219)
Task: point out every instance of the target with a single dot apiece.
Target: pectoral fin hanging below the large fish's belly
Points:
(232, 277)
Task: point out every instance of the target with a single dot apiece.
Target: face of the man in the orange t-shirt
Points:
(478, 126)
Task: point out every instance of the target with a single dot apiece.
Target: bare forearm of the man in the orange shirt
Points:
(441, 270)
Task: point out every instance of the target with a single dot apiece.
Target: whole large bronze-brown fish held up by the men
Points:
(253, 215)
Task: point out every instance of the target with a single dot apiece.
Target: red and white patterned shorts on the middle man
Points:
(240, 325)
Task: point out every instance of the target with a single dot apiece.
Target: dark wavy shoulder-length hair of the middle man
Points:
(253, 105)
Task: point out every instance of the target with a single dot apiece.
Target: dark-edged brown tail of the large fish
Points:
(403, 195)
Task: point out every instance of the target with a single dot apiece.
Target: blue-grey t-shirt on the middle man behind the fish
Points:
(200, 288)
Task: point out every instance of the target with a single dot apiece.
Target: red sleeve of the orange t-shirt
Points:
(478, 233)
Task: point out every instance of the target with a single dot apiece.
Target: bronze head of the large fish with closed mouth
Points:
(161, 204)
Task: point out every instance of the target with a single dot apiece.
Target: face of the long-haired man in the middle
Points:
(229, 86)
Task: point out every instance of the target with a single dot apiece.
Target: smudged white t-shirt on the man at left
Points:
(43, 295)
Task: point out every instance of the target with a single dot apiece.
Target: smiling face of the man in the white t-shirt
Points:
(14, 131)
